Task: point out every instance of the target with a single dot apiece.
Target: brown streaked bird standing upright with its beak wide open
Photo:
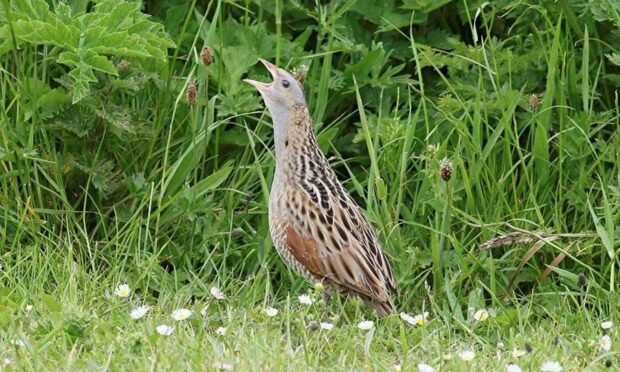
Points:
(316, 226)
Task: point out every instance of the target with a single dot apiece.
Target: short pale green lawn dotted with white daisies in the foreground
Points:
(77, 322)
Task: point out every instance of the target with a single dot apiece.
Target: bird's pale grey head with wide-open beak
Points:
(281, 96)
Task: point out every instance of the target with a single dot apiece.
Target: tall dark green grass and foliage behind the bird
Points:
(103, 152)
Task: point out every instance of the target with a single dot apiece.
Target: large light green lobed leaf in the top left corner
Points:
(86, 40)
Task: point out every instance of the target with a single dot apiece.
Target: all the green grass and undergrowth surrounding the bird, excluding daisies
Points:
(132, 184)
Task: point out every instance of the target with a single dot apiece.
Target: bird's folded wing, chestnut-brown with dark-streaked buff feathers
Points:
(328, 234)
